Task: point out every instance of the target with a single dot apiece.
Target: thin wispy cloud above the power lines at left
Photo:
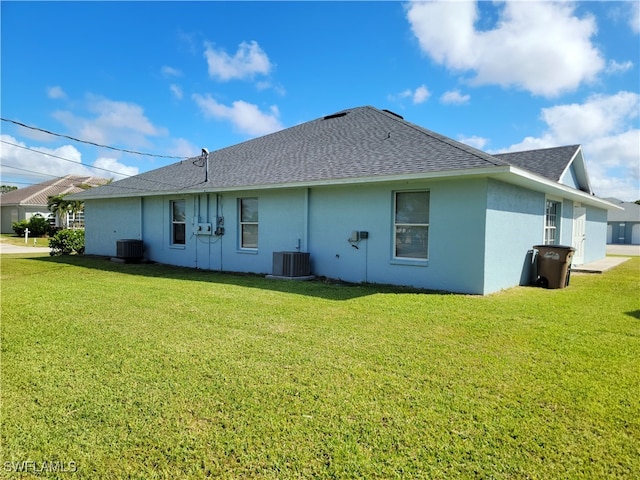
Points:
(113, 123)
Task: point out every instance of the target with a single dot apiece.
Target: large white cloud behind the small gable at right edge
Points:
(604, 126)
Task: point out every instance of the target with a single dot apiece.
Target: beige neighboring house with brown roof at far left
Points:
(23, 203)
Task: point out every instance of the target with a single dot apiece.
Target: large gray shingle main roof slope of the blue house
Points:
(362, 142)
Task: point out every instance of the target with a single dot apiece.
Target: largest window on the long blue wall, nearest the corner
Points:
(411, 222)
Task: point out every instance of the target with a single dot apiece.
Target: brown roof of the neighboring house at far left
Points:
(37, 195)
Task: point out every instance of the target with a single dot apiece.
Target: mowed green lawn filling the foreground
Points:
(150, 371)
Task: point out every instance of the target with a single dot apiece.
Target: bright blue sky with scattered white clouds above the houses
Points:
(170, 78)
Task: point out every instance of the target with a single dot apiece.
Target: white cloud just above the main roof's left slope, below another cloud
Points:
(245, 117)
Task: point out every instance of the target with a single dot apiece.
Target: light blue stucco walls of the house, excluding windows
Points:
(481, 232)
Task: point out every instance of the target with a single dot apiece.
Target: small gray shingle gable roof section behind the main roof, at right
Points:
(547, 162)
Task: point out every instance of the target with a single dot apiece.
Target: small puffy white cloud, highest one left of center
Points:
(248, 60)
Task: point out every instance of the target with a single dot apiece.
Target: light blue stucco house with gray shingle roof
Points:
(371, 197)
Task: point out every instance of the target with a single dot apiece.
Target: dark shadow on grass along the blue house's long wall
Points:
(320, 287)
